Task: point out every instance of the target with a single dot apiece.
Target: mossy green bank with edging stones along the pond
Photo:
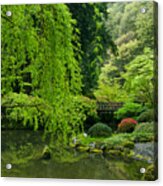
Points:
(118, 145)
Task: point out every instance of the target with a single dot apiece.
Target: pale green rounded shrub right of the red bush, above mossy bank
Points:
(145, 127)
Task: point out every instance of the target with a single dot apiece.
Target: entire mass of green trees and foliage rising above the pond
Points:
(59, 60)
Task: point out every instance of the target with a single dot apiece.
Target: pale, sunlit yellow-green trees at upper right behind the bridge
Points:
(129, 76)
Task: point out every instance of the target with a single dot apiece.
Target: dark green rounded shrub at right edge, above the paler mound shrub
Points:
(146, 116)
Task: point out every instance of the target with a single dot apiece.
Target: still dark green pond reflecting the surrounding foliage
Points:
(22, 149)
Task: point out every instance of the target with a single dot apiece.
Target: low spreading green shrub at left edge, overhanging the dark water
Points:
(23, 111)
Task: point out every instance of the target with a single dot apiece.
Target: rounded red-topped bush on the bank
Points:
(127, 125)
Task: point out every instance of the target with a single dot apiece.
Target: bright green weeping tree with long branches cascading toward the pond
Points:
(38, 61)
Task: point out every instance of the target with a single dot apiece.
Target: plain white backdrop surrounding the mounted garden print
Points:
(63, 182)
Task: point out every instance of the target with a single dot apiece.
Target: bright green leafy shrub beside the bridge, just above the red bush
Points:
(129, 110)
